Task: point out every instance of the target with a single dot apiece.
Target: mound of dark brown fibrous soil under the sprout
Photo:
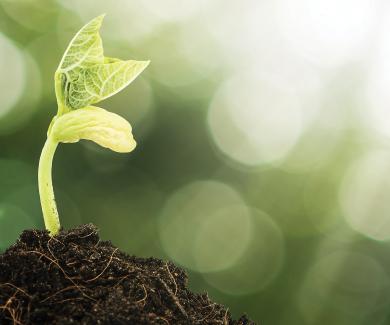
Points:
(75, 278)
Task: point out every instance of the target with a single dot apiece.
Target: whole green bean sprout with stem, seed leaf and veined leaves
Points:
(85, 77)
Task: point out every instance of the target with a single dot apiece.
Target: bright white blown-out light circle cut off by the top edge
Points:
(328, 33)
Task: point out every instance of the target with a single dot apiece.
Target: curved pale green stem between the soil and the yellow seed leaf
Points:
(46, 192)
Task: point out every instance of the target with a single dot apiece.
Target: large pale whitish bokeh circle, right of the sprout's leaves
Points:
(253, 121)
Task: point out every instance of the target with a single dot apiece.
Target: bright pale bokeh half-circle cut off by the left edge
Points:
(12, 77)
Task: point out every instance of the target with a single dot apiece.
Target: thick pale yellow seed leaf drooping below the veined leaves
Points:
(96, 124)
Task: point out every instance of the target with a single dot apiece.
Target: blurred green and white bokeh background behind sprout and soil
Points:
(263, 158)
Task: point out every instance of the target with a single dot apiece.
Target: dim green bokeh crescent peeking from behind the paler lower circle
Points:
(259, 265)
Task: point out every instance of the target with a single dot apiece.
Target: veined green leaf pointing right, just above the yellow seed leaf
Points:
(102, 81)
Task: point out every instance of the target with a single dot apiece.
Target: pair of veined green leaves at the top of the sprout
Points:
(85, 76)
